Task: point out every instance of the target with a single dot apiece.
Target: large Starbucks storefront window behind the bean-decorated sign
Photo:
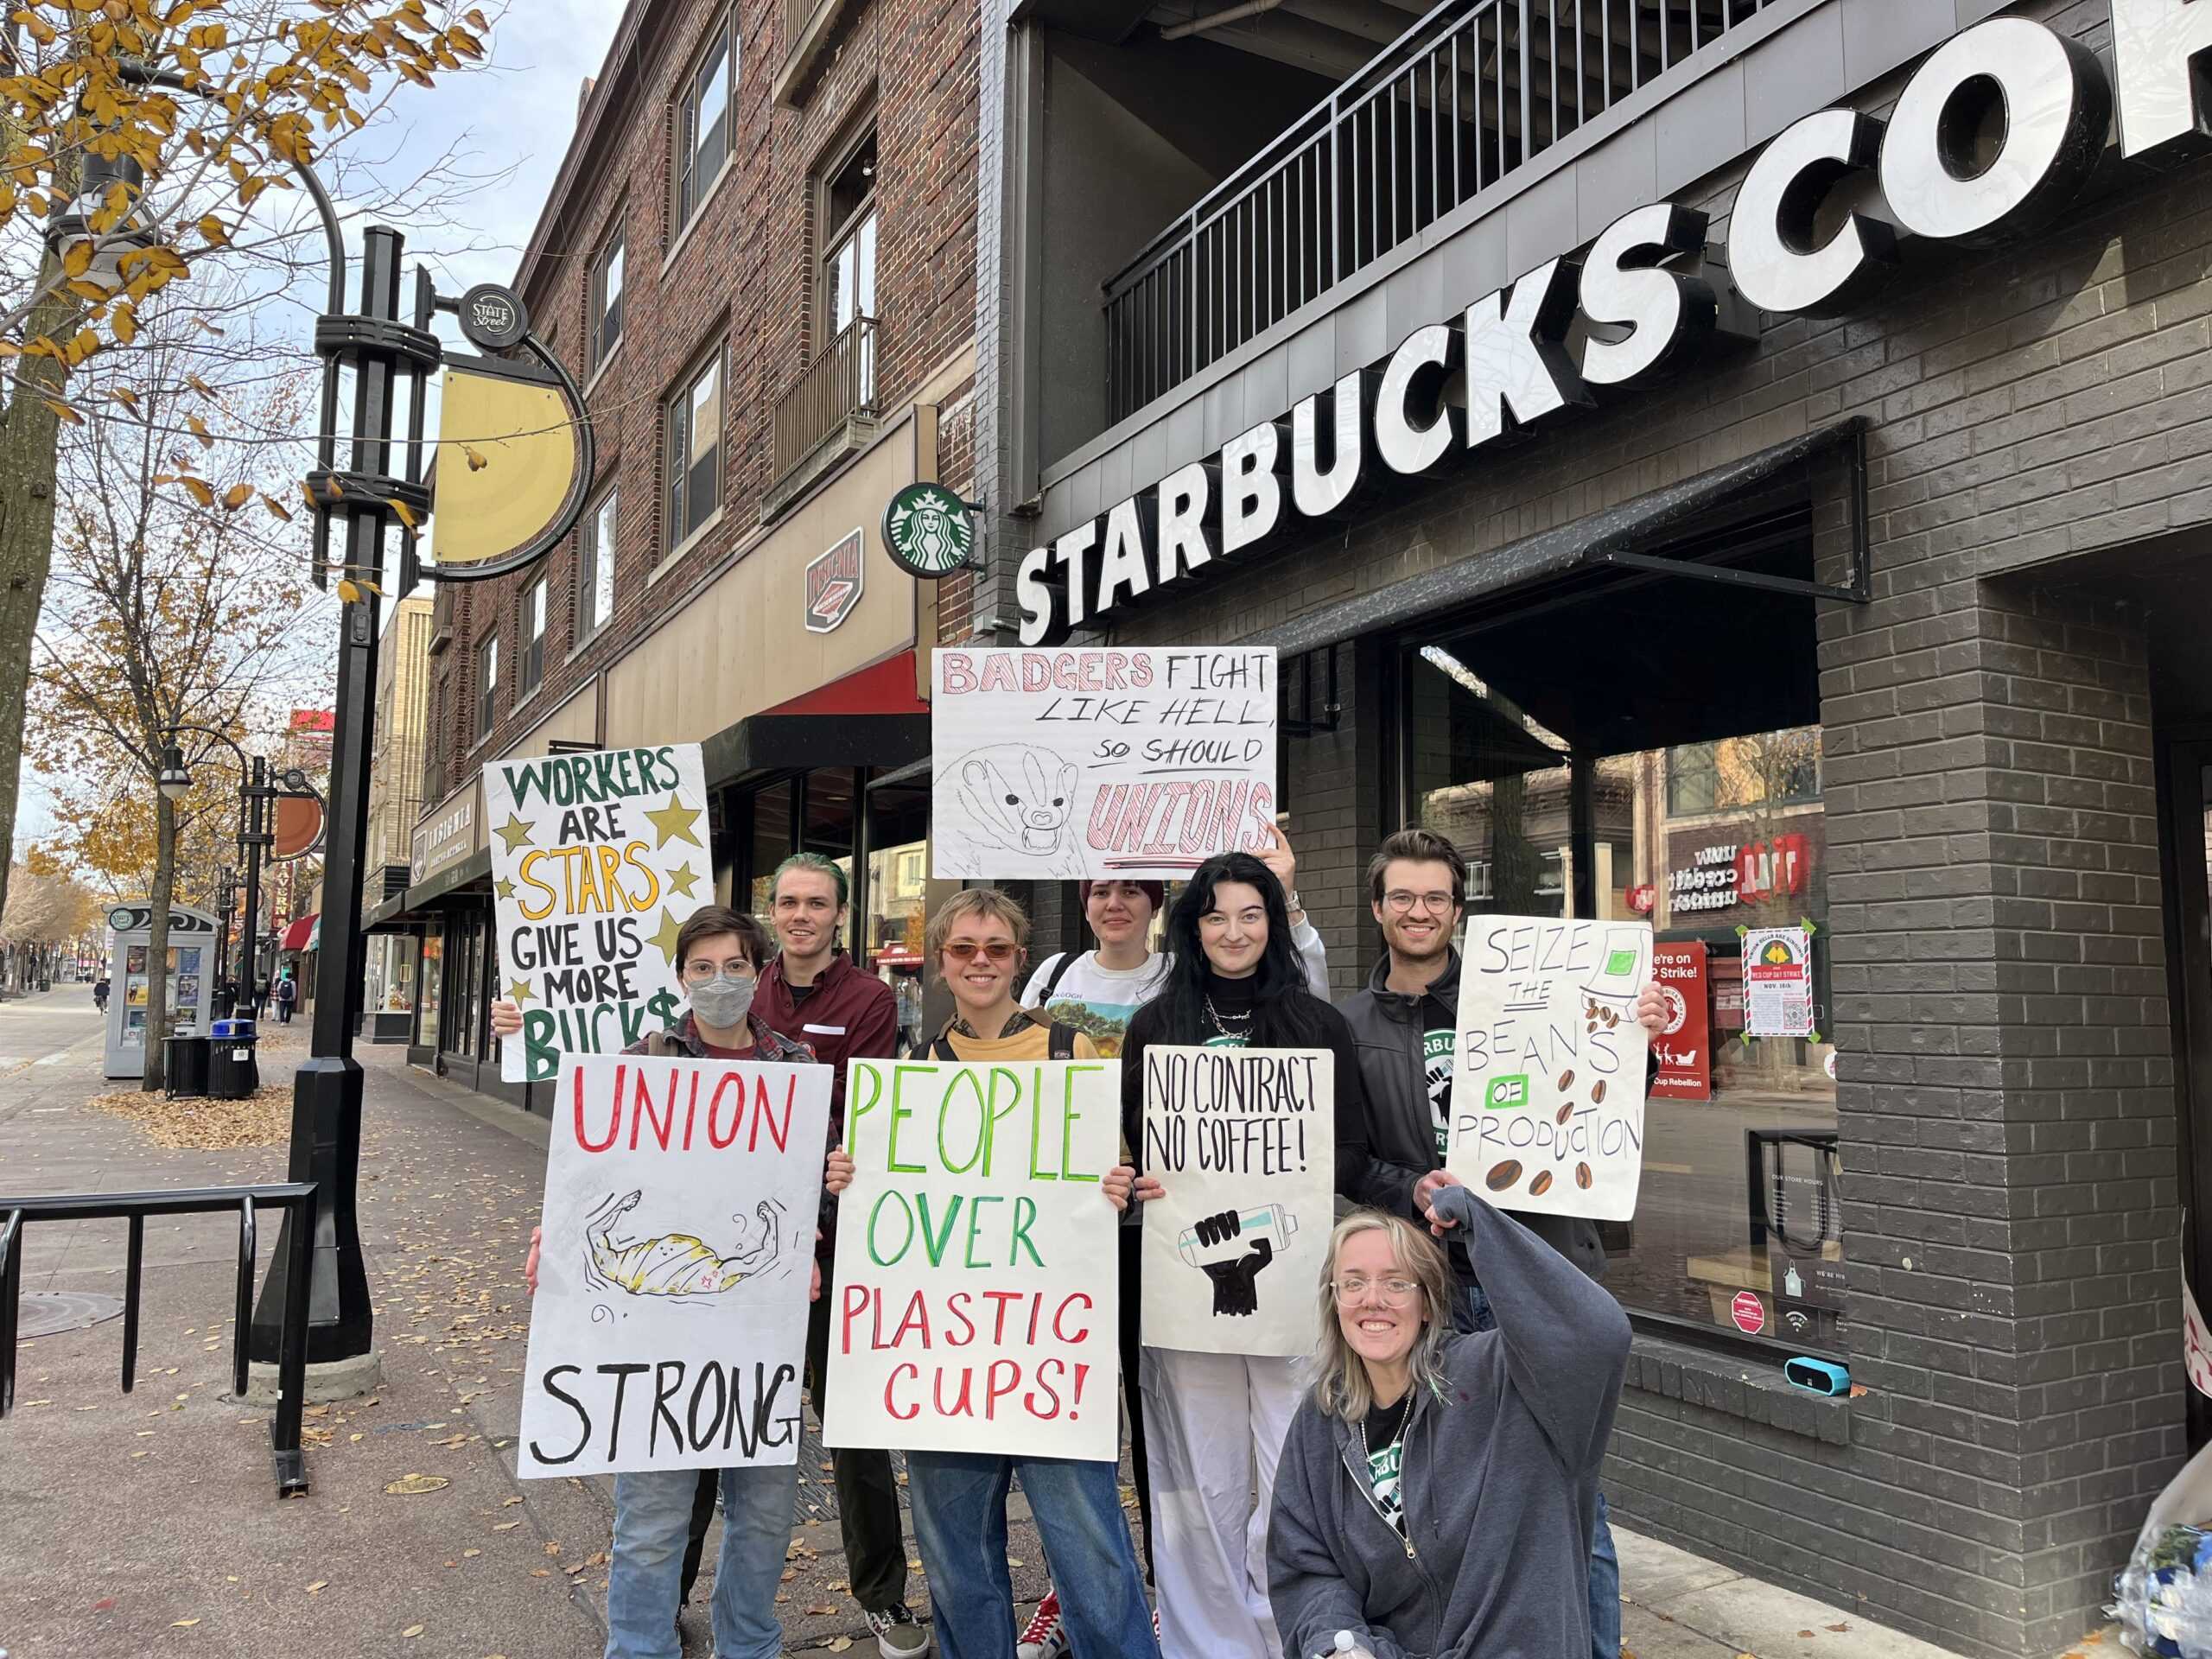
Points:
(1711, 828)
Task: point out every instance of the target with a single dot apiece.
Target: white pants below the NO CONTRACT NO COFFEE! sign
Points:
(1213, 1430)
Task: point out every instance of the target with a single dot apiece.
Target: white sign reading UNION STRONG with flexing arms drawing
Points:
(671, 1315)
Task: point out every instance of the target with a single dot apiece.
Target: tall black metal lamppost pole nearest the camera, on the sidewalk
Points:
(326, 1096)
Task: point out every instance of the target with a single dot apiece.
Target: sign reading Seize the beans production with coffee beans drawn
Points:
(1547, 1092)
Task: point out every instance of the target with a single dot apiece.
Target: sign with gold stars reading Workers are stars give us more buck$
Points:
(596, 864)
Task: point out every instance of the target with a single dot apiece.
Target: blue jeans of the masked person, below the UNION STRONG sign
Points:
(651, 1532)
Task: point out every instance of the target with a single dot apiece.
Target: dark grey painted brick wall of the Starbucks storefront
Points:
(2005, 1098)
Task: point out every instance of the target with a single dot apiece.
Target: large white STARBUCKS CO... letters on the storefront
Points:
(1645, 300)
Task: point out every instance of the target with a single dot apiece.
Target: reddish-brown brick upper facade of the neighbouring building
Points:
(749, 269)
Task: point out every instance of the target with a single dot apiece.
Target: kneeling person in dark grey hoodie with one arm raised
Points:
(1437, 1490)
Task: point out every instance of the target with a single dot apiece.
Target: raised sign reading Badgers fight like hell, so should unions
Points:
(1100, 764)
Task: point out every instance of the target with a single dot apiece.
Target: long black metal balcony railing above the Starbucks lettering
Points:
(1461, 101)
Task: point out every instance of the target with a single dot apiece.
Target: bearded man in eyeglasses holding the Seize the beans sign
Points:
(1406, 1027)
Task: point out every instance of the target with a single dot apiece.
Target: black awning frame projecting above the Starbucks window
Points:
(1611, 539)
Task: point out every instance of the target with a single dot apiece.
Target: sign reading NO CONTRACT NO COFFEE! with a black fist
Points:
(1244, 1145)
